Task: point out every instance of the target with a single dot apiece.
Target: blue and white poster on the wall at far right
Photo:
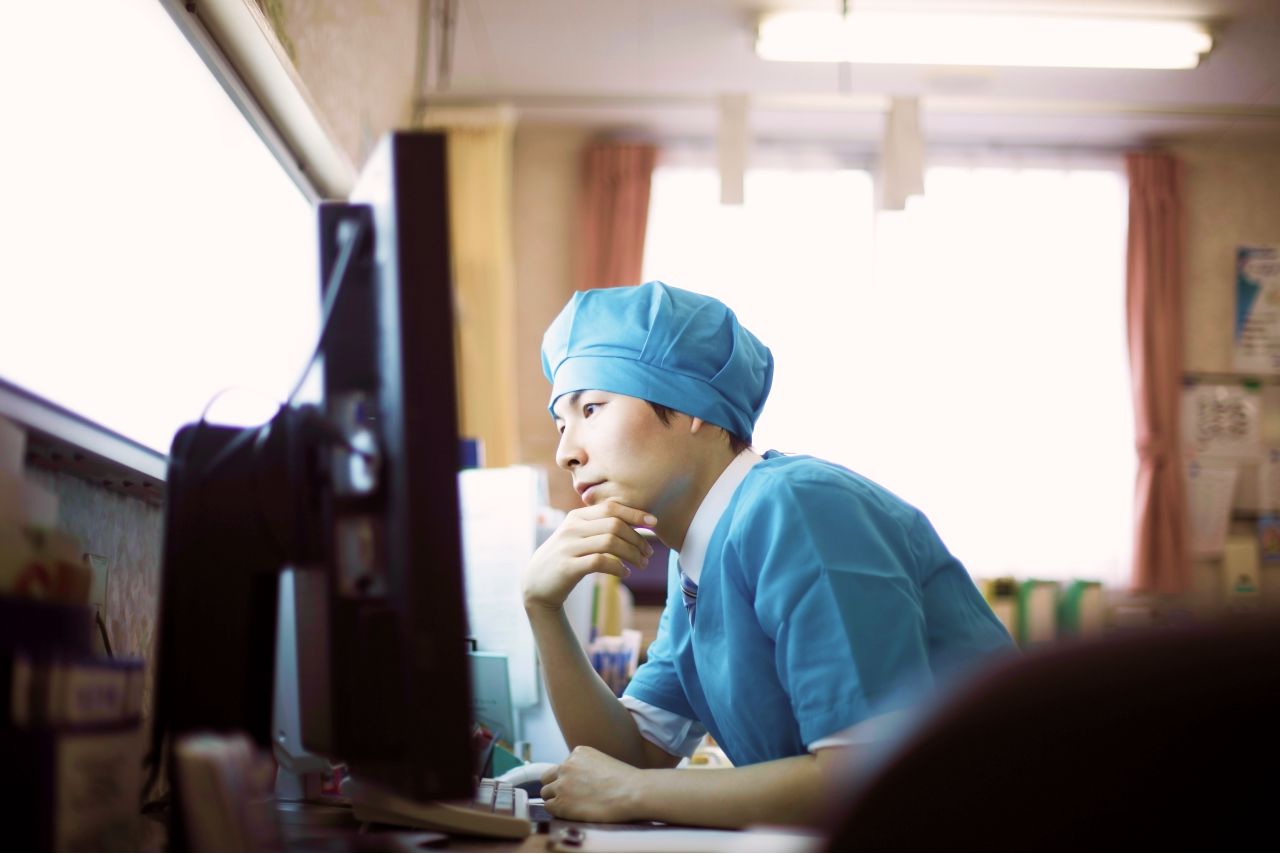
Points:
(1258, 309)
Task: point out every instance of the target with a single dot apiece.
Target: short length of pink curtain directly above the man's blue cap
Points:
(614, 213)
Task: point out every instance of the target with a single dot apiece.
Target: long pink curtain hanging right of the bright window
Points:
(1155, 314)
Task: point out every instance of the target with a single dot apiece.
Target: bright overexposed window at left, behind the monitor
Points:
(156, 250)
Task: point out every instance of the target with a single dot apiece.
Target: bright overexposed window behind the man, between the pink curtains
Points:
(967, 354)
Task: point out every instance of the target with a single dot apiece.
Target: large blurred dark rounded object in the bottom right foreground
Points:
(1162, 741)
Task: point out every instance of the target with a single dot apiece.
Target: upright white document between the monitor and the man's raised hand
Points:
(500, 535)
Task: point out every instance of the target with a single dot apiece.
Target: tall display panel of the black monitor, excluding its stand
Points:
(401, 697)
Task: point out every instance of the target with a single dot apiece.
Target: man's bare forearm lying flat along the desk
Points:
(784, 792)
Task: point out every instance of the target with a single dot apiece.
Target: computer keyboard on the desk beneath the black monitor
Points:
(499, 811)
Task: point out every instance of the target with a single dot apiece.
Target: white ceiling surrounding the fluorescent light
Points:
(659, 67)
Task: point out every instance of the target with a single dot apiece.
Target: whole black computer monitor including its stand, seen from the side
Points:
(358, 496)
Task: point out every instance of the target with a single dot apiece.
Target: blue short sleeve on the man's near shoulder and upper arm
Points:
(834, 570)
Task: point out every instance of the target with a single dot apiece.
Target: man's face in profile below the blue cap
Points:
(616, 447)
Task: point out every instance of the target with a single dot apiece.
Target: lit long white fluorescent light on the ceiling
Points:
(950, 39)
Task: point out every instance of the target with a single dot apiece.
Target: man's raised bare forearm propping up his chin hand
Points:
(586, 709)
